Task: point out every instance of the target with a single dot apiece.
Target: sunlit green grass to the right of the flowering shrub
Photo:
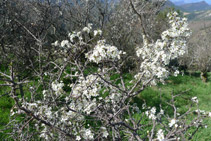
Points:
(182, 83)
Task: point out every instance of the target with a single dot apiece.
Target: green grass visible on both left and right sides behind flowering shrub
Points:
(174, 85)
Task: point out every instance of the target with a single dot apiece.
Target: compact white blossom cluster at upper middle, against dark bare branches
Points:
(103, 51)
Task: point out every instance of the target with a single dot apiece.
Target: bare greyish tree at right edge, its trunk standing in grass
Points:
(198, 57)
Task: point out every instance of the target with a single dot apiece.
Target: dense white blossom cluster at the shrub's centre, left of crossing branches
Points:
(84, 94)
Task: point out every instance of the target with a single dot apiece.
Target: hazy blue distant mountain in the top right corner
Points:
(198, 6)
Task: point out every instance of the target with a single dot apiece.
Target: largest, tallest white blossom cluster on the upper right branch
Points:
(156, 56)
